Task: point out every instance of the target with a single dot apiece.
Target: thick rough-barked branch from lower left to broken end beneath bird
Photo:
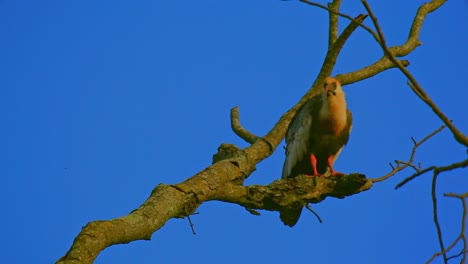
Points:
(182, 199)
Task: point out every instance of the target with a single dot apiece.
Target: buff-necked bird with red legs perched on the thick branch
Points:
(315, 138)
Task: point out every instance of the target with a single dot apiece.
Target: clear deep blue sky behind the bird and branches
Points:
(103, 100)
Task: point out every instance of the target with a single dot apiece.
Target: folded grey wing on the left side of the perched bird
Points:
(298, 136)
